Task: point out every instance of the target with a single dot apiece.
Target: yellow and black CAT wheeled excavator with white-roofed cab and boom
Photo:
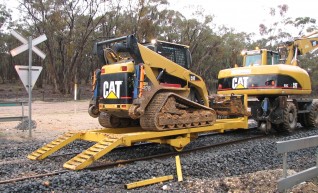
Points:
(275, 84)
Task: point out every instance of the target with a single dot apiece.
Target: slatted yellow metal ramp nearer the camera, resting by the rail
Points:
(93, 153)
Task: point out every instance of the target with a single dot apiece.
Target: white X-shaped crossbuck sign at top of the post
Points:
(25, 45)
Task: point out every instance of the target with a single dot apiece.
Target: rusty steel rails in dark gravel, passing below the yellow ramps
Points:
(122, 162)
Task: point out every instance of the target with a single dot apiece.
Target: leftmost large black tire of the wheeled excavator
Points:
(290, 117)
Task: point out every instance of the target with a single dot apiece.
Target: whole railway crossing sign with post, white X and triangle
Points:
(28, 80)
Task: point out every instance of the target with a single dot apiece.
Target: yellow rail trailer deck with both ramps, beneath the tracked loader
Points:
(108, 139)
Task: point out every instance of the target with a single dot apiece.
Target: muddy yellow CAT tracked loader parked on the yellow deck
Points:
(138, 83)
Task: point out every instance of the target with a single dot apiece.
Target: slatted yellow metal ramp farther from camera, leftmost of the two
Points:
(54, 146)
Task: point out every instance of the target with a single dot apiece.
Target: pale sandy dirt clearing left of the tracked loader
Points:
(52, 119)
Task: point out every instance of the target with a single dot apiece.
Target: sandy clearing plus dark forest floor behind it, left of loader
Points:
(52, 112)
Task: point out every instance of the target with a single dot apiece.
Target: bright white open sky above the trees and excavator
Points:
(246, 15)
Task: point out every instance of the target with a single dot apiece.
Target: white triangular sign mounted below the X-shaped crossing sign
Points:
(23, 72)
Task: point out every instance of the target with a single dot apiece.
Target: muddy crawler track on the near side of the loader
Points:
(169, 111)
